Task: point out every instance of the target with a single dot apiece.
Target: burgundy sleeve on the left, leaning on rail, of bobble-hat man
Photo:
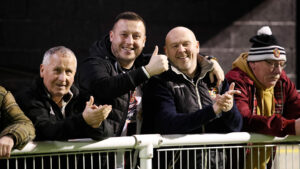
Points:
(275, 125)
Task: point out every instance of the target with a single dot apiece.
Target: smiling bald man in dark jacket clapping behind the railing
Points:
(182, 100)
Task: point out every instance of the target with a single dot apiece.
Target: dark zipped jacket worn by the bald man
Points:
(174, 104)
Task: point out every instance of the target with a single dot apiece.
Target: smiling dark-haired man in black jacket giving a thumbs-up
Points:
(115, 71)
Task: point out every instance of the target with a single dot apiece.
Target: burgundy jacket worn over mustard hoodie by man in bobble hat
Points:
(287, 105)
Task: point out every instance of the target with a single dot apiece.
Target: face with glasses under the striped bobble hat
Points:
(267, 72)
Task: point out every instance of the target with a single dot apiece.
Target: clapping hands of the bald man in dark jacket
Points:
(225, 102)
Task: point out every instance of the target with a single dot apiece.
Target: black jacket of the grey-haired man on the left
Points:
(36, 104)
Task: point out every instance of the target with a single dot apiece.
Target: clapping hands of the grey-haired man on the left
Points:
(94, 115)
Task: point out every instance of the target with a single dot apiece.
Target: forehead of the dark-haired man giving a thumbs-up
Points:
(130, 26)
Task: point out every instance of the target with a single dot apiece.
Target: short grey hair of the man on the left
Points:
(54, 50)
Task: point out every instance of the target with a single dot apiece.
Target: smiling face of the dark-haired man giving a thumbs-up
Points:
(127, 41)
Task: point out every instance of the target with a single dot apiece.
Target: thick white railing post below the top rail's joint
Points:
(146, 155)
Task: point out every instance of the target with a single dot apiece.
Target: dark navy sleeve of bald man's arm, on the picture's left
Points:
(159, 109)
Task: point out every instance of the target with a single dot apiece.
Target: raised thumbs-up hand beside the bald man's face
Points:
(157, 63)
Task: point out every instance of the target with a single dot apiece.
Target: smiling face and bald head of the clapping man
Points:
(182, 49)
